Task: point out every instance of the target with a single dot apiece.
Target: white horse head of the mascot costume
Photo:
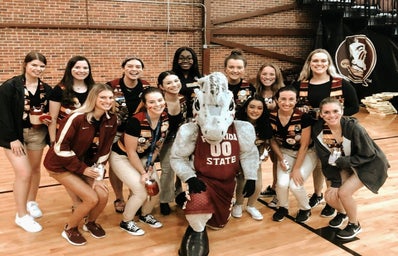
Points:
(214, 107)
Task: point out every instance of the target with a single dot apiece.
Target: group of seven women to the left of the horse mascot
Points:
(81, 121)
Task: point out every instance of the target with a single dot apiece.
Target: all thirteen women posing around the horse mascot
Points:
(133, 125)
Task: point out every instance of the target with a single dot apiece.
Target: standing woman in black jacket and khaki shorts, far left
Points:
(23, 132)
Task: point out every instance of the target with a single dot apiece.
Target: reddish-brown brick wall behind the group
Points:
(107, 31)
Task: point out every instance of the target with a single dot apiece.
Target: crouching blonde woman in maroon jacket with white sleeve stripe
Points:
(77, 160)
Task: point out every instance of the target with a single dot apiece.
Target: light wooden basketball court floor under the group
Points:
(377, 214)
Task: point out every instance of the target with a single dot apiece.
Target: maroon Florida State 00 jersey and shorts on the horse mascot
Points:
(216, 165)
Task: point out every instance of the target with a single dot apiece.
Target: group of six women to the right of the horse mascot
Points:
(309, 135)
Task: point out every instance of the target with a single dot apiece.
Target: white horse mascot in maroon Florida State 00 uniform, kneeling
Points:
(207, 154)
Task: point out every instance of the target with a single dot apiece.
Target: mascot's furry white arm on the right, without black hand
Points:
(249, 156)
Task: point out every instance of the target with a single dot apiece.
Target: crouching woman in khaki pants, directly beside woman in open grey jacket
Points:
(296, 158)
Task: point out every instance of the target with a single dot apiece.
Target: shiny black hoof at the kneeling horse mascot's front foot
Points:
(194, 243)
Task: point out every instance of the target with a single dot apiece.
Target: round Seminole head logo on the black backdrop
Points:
(356, 58)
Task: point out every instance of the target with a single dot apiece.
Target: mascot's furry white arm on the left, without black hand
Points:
(183, 147)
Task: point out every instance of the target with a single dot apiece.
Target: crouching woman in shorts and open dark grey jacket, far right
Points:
(350, 159)
